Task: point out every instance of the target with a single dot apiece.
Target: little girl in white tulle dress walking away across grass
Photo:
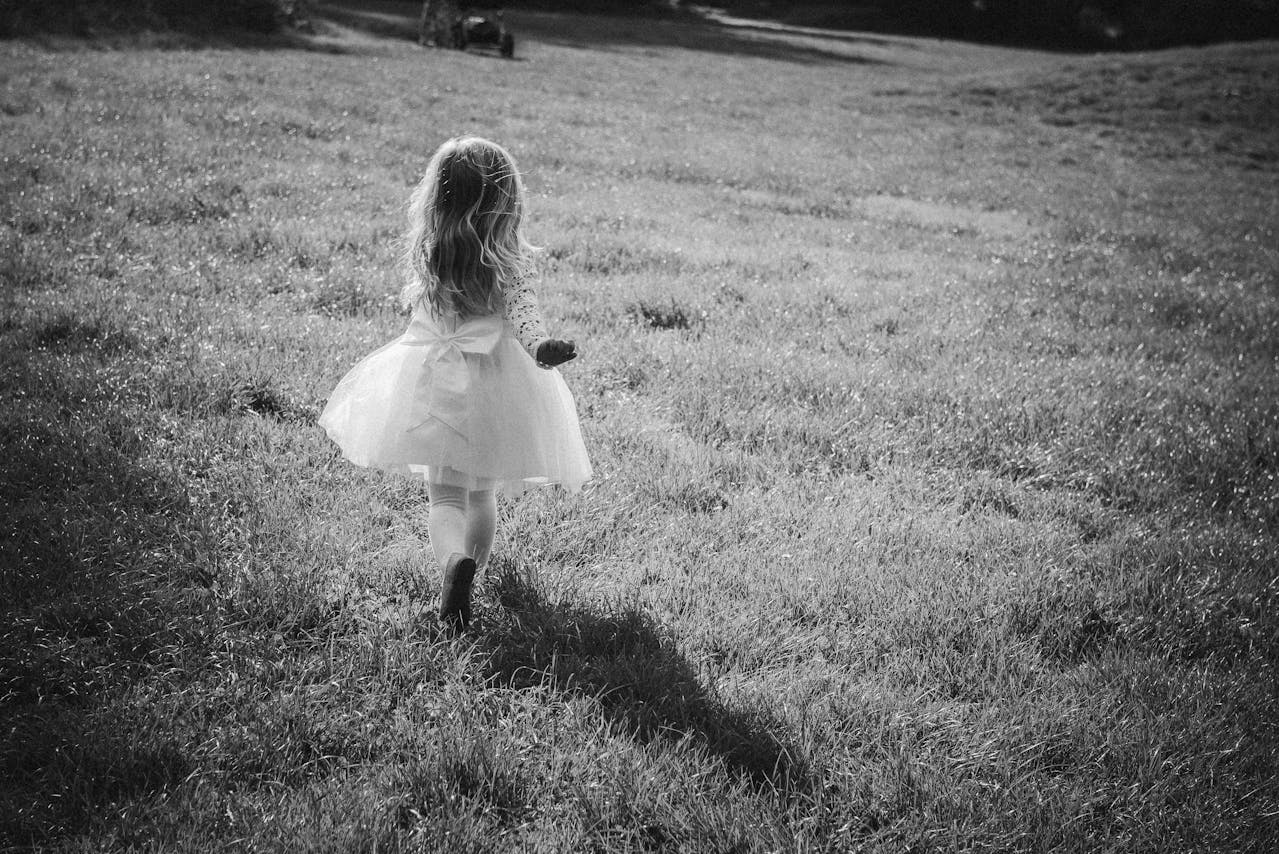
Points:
(466, 398)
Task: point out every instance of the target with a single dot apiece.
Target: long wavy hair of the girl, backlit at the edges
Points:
(465, 236)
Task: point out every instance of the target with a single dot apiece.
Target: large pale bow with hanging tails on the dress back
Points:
(443, 394)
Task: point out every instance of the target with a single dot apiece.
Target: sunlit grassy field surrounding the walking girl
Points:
(932, 392)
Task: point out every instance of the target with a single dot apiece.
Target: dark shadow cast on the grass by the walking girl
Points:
(621, 658)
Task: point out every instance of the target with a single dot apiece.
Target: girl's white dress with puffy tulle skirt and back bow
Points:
(462, 402)
